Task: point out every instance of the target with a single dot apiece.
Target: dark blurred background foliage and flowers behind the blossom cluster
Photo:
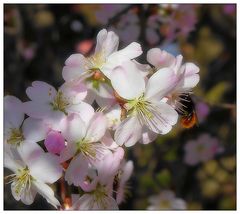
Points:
(199, 164)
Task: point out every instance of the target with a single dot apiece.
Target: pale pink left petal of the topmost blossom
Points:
(75, 66)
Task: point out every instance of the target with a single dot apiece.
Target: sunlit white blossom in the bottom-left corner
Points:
(28, 178)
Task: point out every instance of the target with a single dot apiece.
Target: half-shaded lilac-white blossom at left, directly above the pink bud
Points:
(51, 105)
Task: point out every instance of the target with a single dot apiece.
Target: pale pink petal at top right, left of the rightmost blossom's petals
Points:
(160, 58)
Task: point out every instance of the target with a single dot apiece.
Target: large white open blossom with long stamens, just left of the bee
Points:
(143, 102)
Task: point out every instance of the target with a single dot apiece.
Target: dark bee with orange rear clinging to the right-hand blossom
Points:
(187, 111)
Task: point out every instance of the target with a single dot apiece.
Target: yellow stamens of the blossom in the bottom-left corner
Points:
(21, 180)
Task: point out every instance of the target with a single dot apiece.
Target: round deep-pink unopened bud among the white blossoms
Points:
(54, 142)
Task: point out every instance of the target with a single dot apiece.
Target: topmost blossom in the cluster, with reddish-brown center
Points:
(95, 70)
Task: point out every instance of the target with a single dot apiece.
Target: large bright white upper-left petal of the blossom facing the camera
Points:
(128, 81)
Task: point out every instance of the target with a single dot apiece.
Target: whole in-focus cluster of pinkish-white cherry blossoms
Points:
(108, 101)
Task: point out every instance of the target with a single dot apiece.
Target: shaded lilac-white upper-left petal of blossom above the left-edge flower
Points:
(41, 92)
